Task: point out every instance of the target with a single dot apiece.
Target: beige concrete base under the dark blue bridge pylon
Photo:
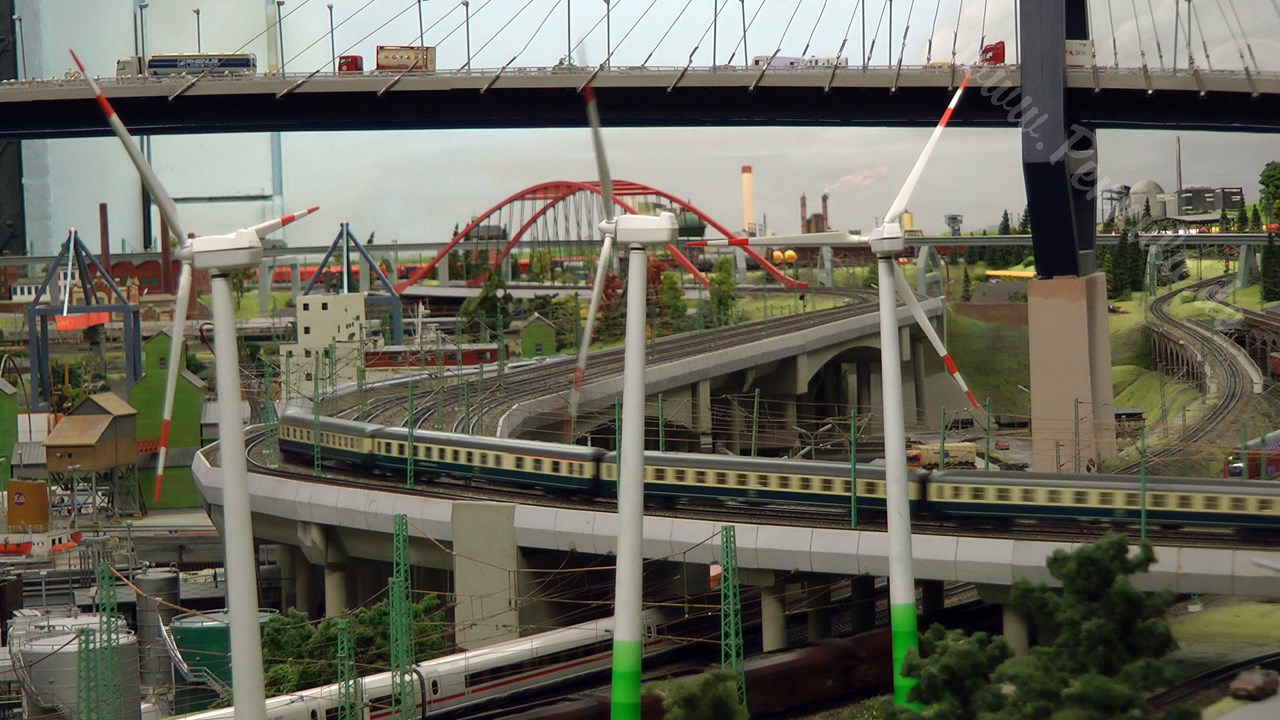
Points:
(1071, 359)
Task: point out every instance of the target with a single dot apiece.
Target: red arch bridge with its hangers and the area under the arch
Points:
(560, 222)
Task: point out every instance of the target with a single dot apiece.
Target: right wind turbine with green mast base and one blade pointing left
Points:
(886, 243)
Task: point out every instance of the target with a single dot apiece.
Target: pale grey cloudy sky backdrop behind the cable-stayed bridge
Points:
(417, 186)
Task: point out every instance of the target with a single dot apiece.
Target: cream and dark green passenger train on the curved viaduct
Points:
(669, 479)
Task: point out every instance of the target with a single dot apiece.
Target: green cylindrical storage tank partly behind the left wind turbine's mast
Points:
(204, 641)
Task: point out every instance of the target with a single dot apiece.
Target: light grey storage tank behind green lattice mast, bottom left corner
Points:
(52, 667)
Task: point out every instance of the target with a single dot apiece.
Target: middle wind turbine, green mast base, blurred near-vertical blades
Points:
(636, 233)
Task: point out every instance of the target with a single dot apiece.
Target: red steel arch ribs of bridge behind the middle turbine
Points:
(546, 202)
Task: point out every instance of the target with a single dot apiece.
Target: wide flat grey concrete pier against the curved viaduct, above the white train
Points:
(486, 569)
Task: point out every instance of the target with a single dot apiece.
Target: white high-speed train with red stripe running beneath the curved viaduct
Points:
(465, 681)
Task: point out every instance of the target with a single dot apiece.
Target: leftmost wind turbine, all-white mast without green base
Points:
(218, 256)
